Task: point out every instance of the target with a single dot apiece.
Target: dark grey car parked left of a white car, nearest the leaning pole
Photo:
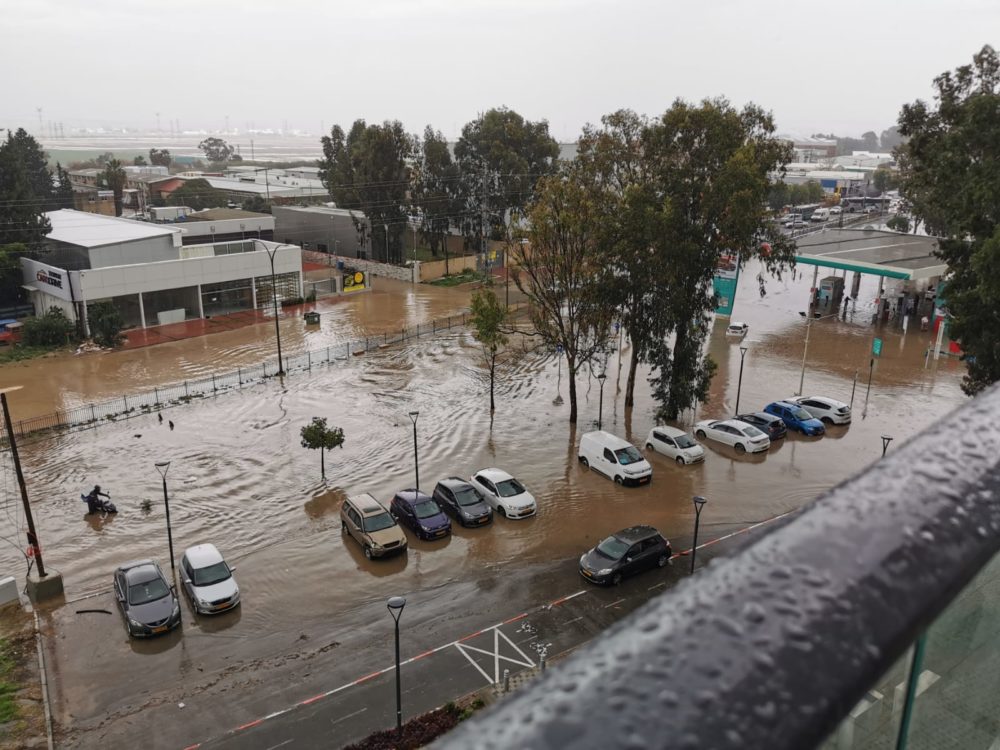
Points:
(147, 602)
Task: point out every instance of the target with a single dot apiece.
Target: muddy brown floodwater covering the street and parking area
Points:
(239, 478)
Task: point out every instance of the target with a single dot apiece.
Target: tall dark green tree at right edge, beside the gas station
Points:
(950, 168)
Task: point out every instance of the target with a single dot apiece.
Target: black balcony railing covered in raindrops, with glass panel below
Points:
(857, 609)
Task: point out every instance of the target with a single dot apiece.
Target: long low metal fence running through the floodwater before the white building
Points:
(175, 394)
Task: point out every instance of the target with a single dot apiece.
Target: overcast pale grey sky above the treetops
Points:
(842, 66)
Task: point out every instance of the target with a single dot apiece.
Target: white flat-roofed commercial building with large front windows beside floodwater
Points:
(150, 275)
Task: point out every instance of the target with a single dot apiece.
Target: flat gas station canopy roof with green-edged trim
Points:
(871, 251)
